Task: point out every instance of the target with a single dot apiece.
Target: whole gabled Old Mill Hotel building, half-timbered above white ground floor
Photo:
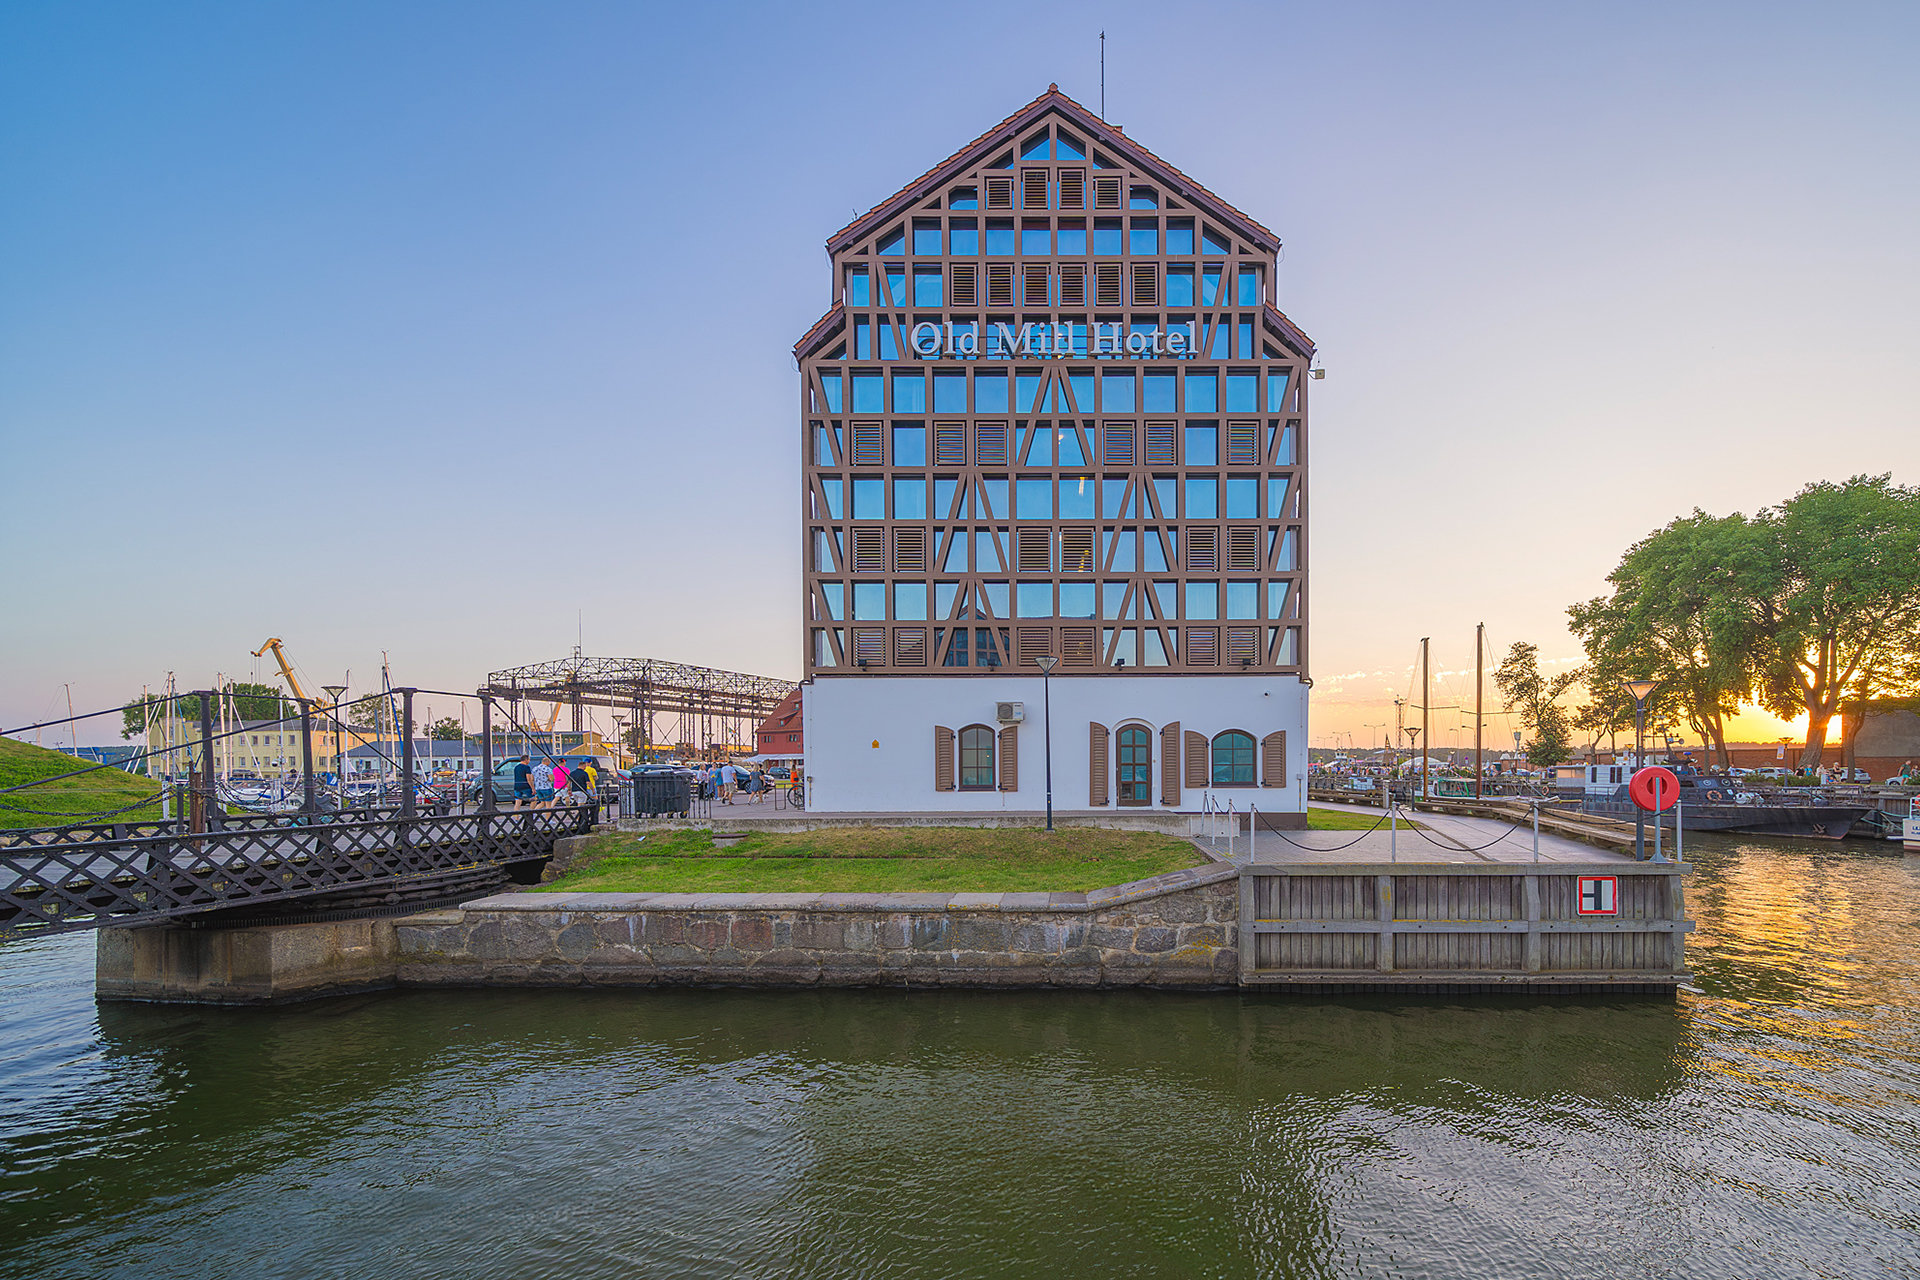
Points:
(1055, 414)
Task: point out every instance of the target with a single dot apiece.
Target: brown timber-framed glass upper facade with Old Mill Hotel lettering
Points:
(1055, 412)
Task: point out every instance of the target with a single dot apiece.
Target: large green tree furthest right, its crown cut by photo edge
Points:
(1836, 600)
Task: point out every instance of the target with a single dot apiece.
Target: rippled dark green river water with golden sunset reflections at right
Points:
(1767, 1126)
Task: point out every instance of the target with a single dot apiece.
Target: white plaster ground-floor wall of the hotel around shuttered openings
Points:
(846, 717)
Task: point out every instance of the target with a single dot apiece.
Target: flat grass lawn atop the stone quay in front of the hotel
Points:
(876, 861)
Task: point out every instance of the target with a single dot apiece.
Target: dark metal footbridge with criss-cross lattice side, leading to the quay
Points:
(268, 868)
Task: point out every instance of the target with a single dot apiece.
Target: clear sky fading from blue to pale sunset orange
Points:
(462, 333)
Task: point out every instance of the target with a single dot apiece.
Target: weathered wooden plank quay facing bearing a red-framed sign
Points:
(1360, 926)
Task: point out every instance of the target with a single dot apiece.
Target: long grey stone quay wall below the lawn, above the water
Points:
(1174, 932)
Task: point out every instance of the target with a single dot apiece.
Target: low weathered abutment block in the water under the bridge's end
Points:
(254, 964)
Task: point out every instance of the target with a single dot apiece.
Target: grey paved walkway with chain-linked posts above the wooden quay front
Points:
(1441, 840)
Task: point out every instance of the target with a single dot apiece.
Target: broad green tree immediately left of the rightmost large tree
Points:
(1677, 615)
